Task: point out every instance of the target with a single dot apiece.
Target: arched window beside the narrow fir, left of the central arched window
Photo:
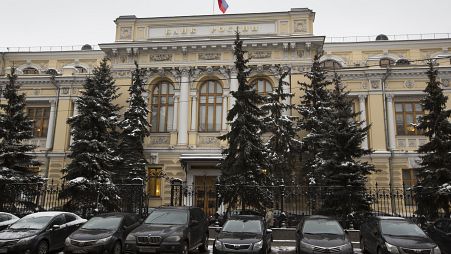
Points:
(162, 107)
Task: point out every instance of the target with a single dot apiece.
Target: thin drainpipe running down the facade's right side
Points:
(387, 139)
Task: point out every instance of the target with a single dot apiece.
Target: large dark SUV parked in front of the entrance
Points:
(170, 229)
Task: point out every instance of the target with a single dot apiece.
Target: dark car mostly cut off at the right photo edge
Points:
(440, 233)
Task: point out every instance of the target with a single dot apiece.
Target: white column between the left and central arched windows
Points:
(183, 115)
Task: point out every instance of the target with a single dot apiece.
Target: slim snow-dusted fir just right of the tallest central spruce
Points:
(283, 145)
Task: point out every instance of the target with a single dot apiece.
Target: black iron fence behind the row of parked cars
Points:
(292, 201)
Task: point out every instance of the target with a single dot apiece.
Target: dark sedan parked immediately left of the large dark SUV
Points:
(104, 233)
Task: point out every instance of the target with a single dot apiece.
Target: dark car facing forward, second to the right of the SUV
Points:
(321, 234)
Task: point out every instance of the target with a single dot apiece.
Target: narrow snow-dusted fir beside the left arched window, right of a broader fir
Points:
(135, 128)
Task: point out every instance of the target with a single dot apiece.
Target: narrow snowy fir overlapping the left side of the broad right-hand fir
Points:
(315, 106)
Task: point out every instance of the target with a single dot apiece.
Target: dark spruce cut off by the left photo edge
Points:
(16, 160)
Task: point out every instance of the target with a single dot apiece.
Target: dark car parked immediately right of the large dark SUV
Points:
(243, 234)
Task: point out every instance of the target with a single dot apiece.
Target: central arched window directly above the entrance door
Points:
(210, 106)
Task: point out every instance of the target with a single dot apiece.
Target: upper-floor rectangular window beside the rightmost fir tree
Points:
(407, 115)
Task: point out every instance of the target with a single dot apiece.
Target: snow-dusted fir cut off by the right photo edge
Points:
(433, 191)
